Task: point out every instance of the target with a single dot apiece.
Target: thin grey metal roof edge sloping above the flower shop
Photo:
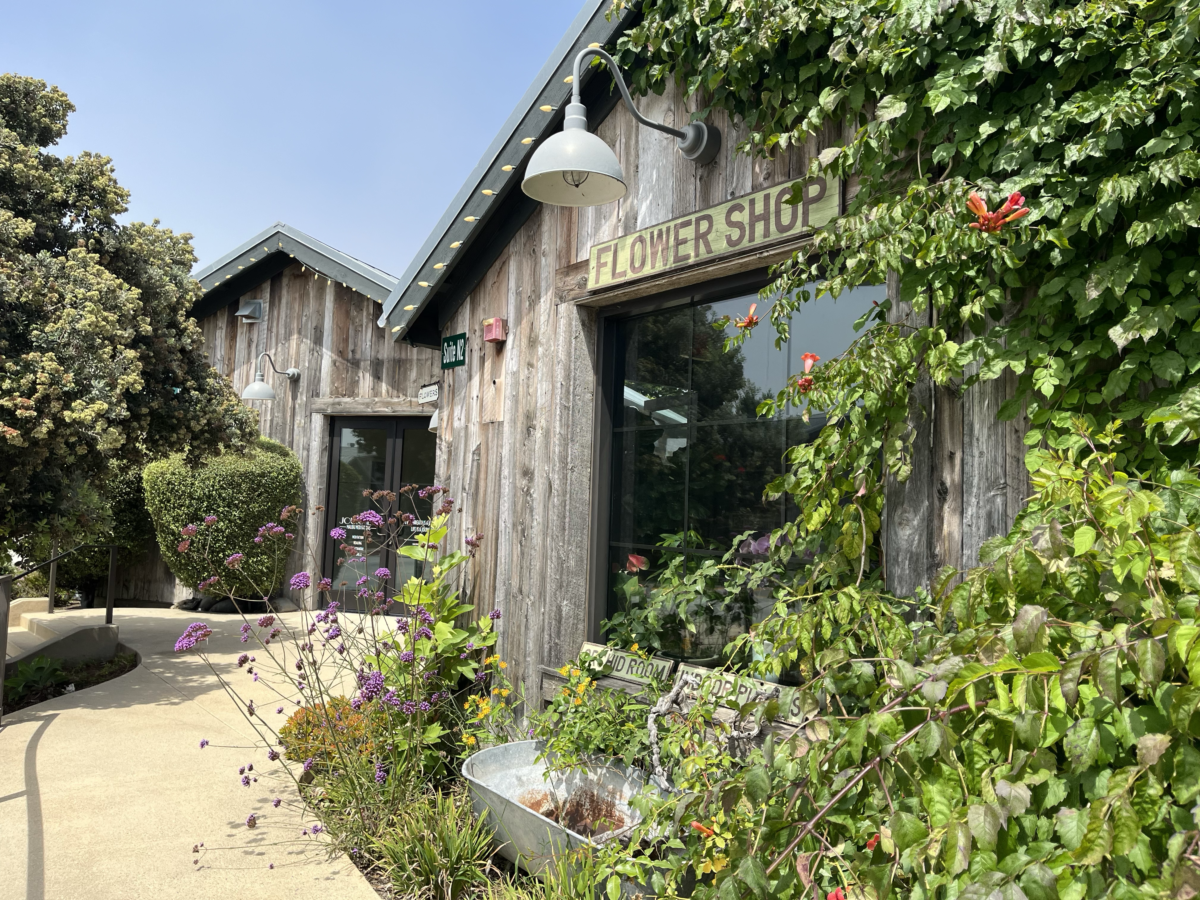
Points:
(562, 57)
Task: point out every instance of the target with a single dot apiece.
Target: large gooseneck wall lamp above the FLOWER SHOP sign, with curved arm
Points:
(577, 169)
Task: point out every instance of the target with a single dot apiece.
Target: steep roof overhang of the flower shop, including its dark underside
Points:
(490, 208)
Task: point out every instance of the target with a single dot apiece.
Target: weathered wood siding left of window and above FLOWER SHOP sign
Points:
(518, 425)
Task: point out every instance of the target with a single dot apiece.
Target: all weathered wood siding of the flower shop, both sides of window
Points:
(518, 429)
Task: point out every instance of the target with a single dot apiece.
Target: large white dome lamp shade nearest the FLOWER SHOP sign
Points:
(574, 169)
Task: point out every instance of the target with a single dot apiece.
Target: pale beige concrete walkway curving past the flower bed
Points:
(104, 793)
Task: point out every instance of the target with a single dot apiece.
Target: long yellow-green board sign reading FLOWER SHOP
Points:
(749, 223)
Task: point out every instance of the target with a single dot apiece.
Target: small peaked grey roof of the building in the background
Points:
(273, 251)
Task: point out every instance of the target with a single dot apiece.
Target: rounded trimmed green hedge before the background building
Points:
(244, 491)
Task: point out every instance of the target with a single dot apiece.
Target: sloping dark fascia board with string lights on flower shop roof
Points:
(527, 121)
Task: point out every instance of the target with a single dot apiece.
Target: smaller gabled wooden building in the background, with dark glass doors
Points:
(353, 417)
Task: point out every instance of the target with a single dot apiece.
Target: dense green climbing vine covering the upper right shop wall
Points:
(1089, 110)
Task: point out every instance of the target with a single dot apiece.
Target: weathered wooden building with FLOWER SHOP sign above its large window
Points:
(608, 417)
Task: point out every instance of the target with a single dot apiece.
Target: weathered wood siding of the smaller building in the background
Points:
(350, 367)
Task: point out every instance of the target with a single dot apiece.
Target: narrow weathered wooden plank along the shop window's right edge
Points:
(907, 515)
